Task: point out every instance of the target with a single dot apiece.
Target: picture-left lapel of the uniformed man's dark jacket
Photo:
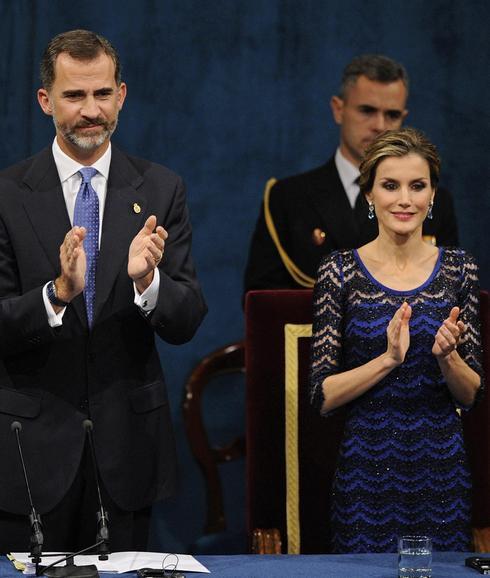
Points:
(327, 194)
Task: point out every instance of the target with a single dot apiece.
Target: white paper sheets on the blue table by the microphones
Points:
(128, 561)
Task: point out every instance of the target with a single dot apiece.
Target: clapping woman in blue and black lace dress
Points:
(396, 339)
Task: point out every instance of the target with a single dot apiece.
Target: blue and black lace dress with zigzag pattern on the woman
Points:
(402, 466)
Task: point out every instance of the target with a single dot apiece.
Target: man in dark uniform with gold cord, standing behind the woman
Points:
(306, 216)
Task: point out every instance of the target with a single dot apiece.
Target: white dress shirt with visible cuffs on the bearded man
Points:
(70, 182)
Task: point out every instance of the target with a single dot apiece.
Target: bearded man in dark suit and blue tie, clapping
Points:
(77, 328)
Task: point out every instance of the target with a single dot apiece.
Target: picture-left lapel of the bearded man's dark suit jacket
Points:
(46, 209)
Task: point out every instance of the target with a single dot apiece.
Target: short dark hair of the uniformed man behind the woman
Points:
(376, 67)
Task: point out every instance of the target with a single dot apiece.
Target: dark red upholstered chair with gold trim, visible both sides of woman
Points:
(269, 472)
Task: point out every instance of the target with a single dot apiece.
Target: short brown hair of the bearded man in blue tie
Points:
(81, 45)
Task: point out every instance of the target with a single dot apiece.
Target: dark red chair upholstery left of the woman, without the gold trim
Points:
(266, 314)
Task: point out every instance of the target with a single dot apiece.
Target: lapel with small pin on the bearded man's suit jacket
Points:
(124, 213)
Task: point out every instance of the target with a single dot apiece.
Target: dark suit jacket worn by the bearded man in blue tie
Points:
(51, 379)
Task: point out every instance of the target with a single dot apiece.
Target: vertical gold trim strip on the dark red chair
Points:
(292, 333)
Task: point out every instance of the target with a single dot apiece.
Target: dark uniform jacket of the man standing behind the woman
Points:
(317, 200)
